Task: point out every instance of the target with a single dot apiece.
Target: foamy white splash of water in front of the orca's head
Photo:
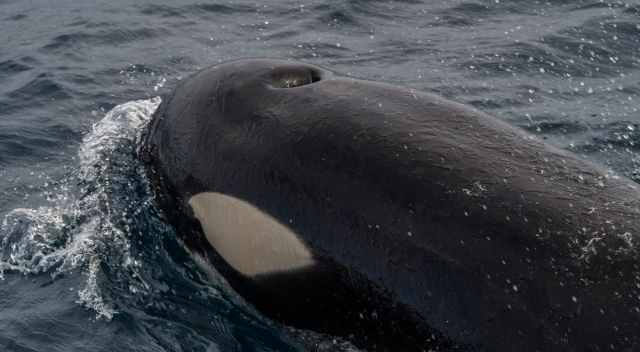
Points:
(92, 221)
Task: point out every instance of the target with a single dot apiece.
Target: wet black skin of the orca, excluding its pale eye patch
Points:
(434, 225)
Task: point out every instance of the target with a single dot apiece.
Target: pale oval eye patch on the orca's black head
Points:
(251, 241)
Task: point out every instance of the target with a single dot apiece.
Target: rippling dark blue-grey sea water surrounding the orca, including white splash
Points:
(85, 259)
